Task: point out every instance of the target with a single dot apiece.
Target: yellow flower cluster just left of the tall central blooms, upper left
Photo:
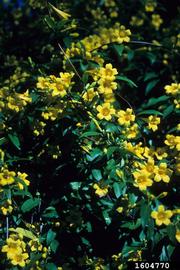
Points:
(56, 86)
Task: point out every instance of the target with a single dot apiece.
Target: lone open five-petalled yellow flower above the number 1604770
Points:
(162, 216)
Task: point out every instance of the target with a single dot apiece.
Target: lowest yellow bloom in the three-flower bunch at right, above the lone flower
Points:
(142, 179)
